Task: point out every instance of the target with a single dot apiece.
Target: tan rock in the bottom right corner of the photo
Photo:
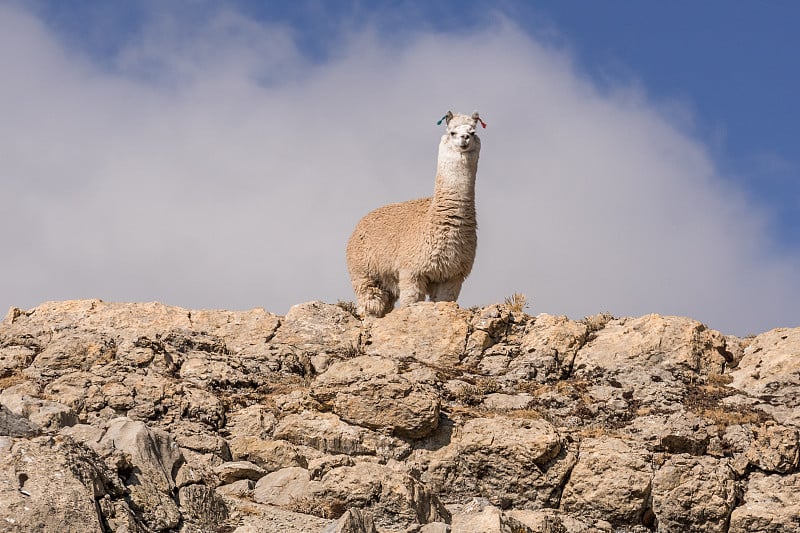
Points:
(770, 505)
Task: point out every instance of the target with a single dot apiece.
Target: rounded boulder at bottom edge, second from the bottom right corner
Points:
(694, 494)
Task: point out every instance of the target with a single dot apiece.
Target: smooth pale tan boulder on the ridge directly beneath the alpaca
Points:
(433, 333)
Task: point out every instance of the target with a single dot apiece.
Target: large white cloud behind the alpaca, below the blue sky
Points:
(218, 168)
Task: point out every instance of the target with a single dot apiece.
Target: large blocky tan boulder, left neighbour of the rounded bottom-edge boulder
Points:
(610, 482)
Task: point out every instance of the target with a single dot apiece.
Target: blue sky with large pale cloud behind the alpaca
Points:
(640, 157)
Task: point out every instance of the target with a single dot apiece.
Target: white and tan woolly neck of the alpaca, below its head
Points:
(454, 196)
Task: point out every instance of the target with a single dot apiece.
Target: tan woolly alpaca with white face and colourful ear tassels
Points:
(421, 247)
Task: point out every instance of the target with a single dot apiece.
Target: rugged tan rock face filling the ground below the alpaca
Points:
(143, 417)
